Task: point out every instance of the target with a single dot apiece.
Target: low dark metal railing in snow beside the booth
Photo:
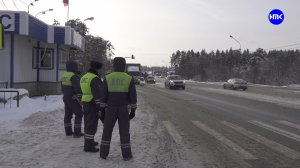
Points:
(7, 96)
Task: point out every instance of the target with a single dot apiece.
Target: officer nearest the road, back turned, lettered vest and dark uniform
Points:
(118, 92)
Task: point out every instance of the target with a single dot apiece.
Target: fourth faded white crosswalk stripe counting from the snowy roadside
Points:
(276, 130)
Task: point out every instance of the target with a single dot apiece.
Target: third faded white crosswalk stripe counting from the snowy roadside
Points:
(269, 143)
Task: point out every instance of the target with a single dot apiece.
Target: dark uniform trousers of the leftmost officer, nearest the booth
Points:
(72, 107)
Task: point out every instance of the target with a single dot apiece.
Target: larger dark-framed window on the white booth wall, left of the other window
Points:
(45, 57)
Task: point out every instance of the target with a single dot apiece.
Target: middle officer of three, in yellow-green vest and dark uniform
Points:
(90, 85)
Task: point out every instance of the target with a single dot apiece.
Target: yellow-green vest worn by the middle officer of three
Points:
(85, 85)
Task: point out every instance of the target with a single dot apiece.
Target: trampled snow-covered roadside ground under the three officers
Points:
(33, 136)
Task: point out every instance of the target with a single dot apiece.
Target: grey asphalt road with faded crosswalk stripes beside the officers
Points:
(212, 127)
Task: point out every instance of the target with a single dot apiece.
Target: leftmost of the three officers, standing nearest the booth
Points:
(72, 95)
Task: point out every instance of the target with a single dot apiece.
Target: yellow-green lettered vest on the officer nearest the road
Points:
(118, 82)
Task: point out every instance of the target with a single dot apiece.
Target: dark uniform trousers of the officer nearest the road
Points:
(111, 116)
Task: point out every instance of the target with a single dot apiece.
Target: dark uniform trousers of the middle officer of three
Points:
(90, 123)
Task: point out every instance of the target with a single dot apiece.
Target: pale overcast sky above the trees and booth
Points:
(153, 29)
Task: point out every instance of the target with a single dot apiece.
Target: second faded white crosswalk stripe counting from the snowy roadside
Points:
(244, 154)
